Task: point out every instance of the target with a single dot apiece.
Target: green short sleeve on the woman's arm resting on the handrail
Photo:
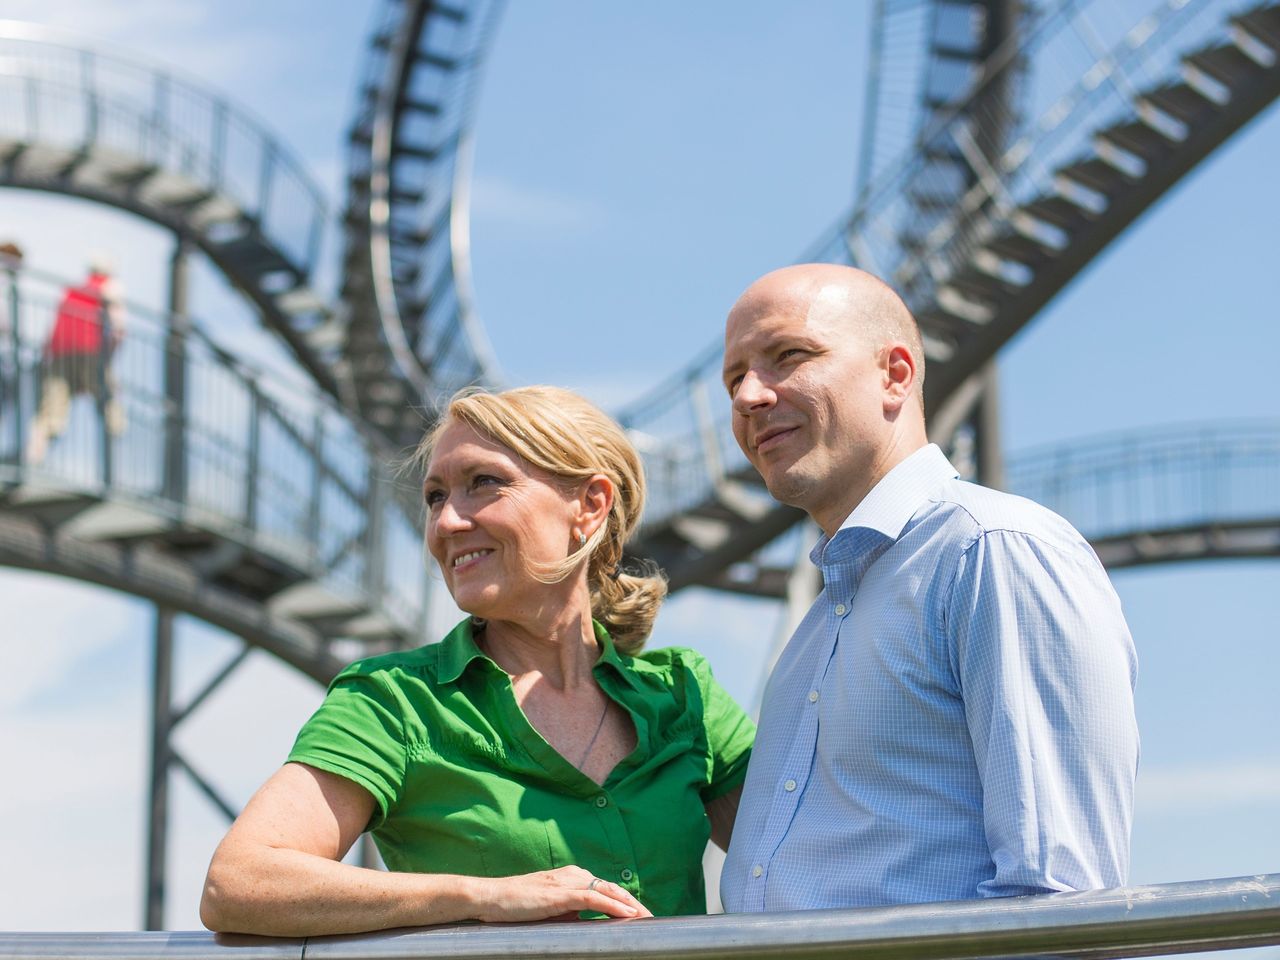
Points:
(358, 734)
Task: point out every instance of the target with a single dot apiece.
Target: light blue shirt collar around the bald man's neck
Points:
(890, 506)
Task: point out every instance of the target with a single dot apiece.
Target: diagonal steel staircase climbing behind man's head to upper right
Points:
(1135, 117)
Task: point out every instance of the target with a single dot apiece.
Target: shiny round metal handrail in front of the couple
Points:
(1171, 918)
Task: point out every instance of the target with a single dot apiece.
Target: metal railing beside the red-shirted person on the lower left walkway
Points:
(269, 465)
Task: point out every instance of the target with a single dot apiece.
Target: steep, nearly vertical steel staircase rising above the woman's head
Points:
(413, 336)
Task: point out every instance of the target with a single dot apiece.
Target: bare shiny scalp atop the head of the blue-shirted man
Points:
(845, 296)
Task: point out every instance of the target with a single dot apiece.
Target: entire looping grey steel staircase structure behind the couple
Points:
(1031, 136)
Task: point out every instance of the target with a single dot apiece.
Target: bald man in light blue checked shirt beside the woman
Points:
(954, 717)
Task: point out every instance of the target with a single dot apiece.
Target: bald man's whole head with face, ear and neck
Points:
(824, 367)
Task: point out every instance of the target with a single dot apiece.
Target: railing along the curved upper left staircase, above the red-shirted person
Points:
(144, 117)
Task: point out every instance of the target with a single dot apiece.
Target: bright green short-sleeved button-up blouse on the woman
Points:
(465, 785)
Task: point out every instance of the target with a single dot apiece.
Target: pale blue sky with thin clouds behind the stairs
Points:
(637, 167)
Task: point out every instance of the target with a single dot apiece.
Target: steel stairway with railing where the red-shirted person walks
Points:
(228, 497)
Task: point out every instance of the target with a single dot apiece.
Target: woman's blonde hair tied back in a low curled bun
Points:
(570, 438)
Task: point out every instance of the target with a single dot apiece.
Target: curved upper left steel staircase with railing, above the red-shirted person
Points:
(144, 140)
